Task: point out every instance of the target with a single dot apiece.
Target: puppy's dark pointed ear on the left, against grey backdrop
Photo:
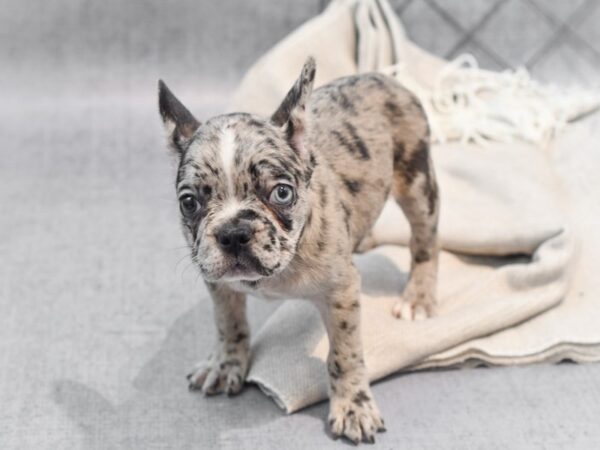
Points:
(180, 124)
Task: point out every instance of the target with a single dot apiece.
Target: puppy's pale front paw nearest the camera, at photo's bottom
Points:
(355, 417)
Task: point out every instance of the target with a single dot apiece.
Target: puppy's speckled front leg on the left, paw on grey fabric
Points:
(226, 368)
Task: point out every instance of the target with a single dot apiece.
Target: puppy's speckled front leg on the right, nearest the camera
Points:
(353, 412)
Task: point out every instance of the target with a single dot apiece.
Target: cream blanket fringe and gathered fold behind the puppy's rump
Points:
(467, 103)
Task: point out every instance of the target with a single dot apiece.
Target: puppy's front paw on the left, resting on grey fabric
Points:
(221, 373)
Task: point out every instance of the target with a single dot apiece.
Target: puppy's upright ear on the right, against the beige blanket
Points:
(290, 115)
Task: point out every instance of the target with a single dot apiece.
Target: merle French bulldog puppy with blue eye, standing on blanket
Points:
(276, 206)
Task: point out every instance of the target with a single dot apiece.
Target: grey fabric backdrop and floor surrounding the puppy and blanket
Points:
(101, 314)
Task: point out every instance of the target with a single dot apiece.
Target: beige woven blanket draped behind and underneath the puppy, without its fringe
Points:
(519, 228)
